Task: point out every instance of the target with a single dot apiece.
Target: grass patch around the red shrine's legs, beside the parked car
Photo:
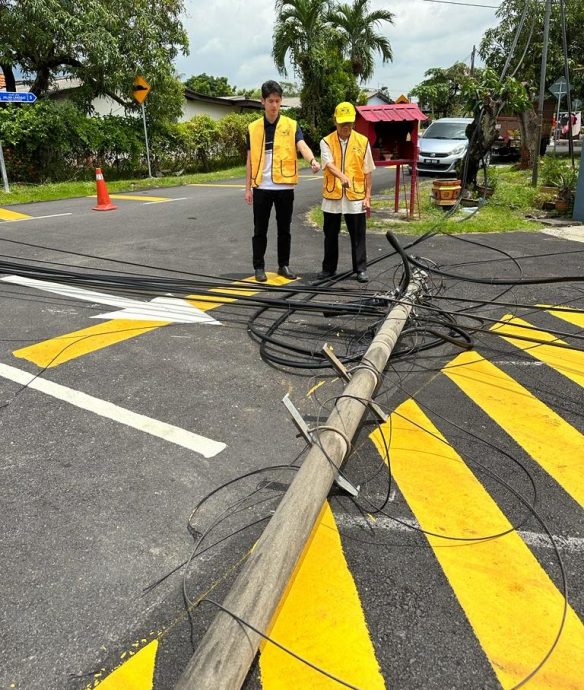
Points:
(505, 211)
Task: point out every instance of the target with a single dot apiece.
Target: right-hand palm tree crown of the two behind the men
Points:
(359, 40)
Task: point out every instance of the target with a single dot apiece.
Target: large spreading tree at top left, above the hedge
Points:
(102, 43)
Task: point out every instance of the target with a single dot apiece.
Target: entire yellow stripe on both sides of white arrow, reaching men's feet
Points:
(64, 348)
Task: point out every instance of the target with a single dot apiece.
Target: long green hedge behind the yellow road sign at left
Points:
(57, 141)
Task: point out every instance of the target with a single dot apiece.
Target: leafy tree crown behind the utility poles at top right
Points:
(525, 63)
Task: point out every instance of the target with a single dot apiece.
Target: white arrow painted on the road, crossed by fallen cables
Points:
(167, 309)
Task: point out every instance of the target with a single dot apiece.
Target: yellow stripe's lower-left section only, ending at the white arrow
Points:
(63, 348)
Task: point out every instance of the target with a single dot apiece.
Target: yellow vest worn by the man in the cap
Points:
(353, 165)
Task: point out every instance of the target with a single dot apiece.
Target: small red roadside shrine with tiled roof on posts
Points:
(392, 131)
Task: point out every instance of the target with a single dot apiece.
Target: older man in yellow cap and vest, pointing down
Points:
(347, 163)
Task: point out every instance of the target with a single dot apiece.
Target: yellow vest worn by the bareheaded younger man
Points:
(284, 159)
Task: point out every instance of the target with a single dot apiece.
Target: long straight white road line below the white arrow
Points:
(187, 439)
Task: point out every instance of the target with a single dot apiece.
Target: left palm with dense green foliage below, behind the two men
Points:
(303, 35)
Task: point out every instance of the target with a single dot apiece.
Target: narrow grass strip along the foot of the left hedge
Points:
(25, 193)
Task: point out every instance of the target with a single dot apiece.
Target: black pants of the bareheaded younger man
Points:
(263, 199)
